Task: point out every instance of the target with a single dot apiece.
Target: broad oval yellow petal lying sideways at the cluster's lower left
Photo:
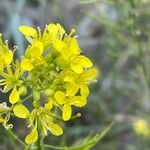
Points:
(21, 111)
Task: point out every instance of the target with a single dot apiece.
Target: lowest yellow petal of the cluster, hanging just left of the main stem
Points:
(32, 137)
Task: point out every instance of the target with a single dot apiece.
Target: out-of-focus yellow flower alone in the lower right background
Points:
(141, 127)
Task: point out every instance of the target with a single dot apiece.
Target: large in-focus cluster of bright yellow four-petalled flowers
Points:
(53, 75)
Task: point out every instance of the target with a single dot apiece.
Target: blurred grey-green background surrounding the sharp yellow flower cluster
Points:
(115, 34)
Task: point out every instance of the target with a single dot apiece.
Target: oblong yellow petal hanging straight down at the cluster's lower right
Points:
(67, 111)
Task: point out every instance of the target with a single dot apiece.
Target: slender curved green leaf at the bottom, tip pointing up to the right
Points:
(86, 145)
